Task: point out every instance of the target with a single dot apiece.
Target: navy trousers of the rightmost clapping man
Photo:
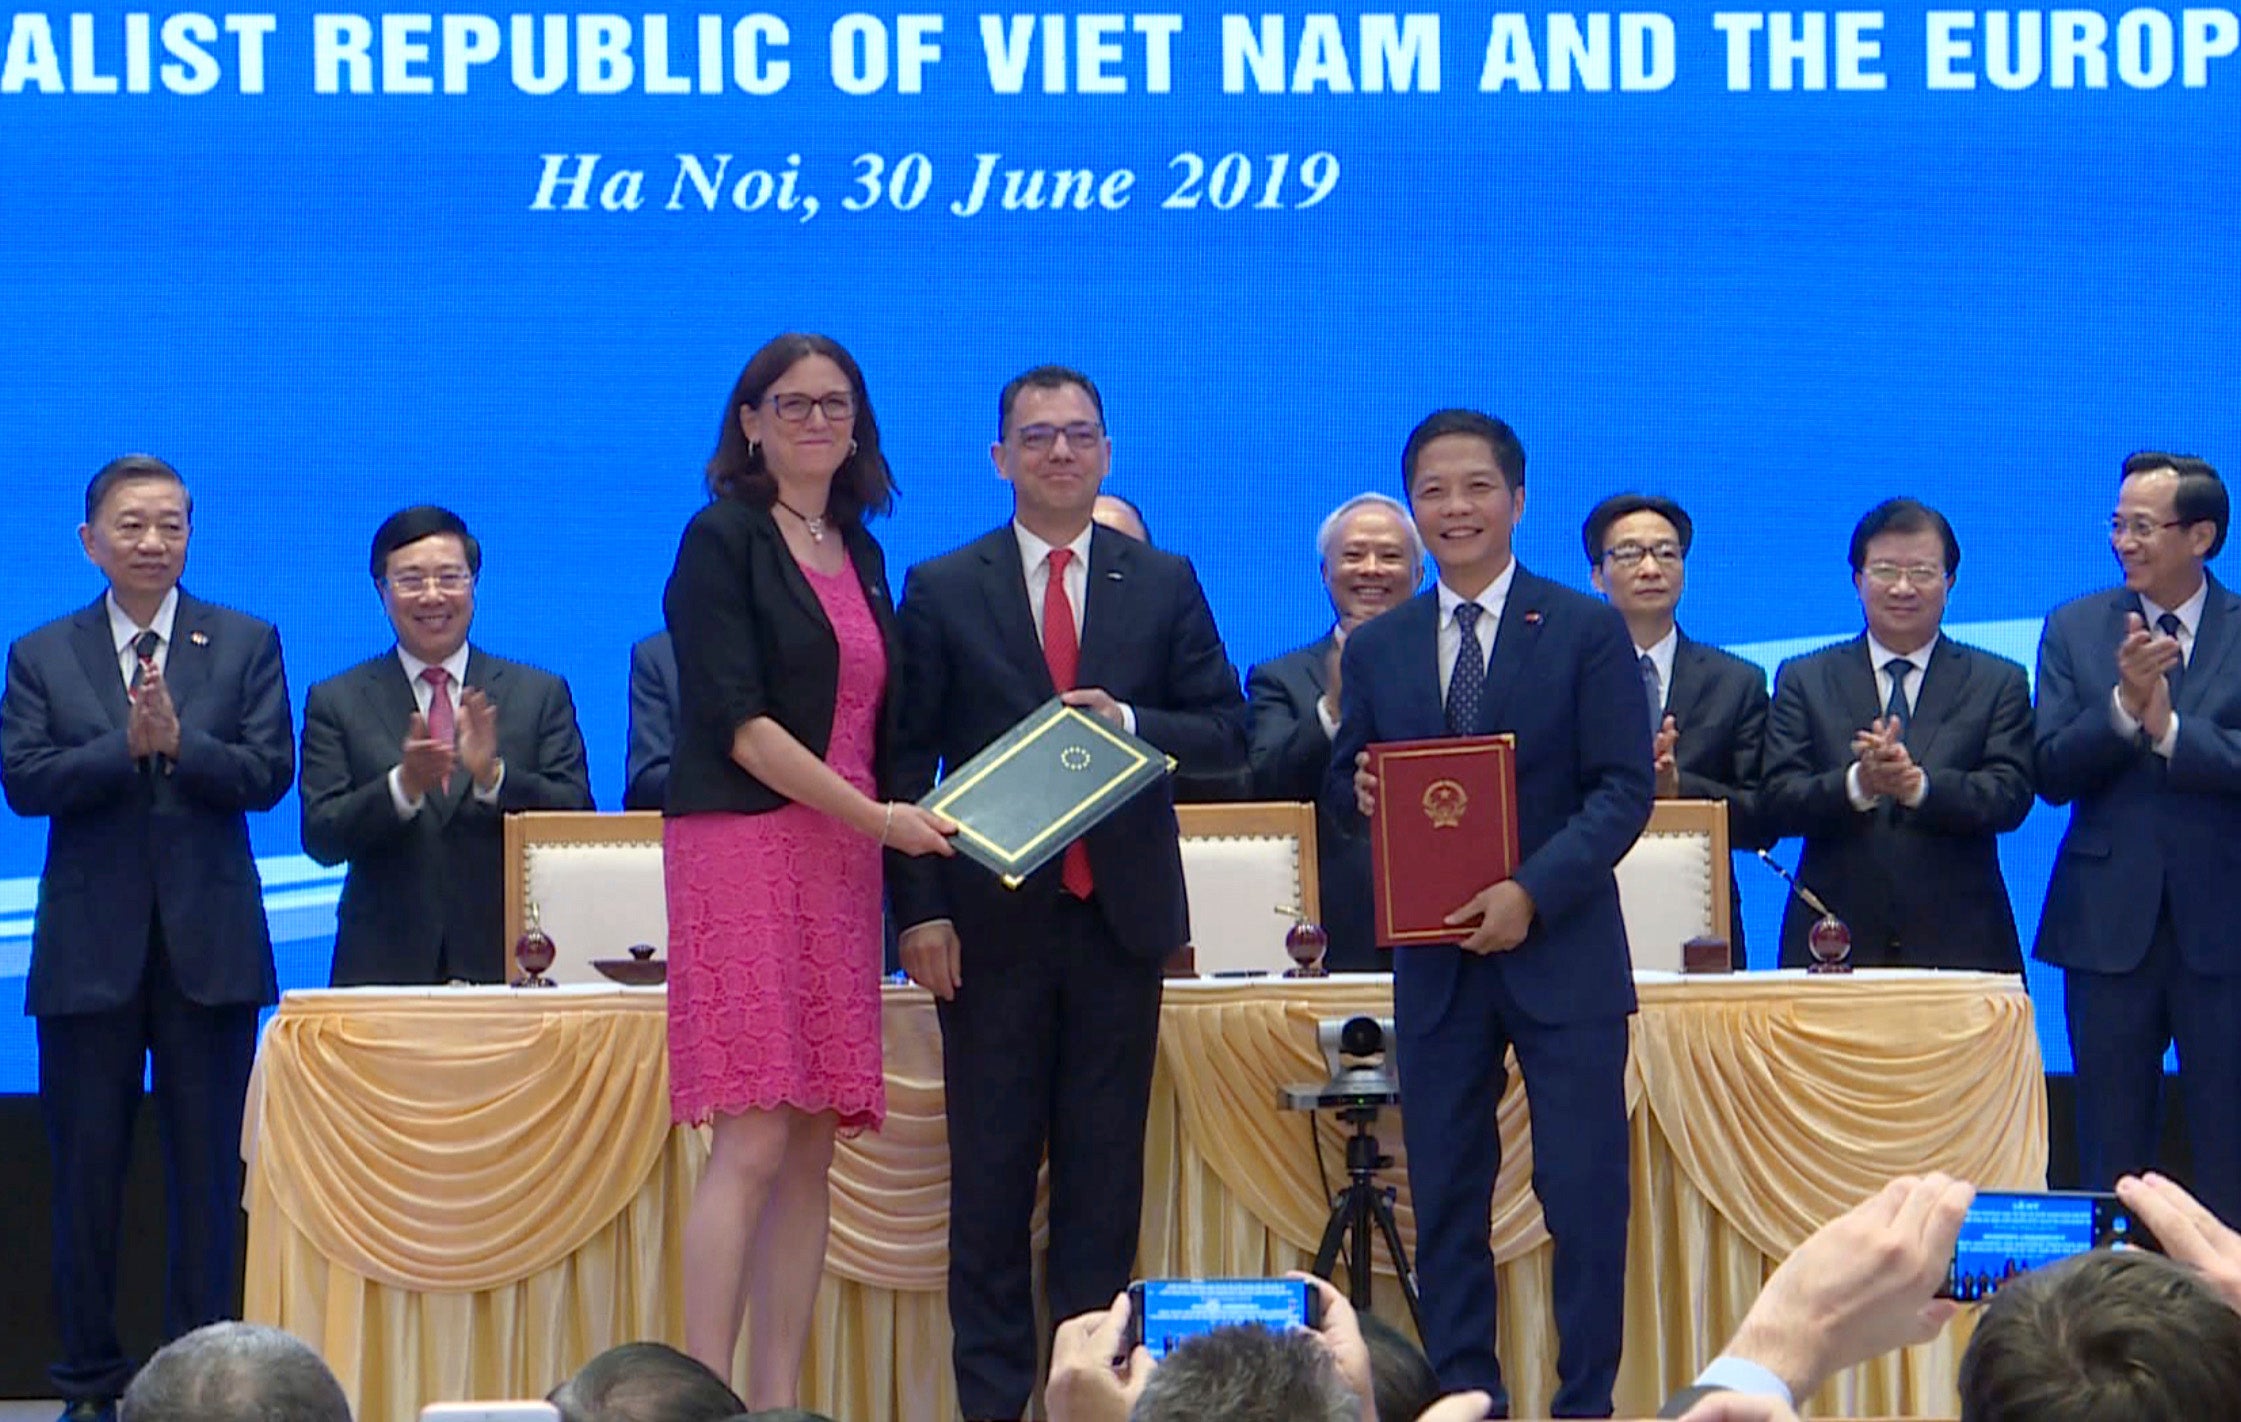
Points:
(2119, 1027)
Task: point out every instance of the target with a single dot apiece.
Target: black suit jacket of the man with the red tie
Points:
(976, 668)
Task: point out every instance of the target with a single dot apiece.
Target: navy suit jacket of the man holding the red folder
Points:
(1568, 686)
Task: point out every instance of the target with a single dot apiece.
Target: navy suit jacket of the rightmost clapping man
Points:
(2141, 827)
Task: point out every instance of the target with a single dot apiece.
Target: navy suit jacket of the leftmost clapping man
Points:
(127, 845)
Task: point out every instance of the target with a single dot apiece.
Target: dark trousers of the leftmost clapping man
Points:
(91, 1072)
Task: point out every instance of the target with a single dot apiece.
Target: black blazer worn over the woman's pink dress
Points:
(754, 642)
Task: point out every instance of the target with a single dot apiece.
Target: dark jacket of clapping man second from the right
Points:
(1917, 888)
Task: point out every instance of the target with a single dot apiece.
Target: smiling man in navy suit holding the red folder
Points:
(1541, 960)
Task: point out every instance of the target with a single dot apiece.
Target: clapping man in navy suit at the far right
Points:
(2139, 731)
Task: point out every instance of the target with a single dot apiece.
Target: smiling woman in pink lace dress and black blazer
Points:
(785, 639)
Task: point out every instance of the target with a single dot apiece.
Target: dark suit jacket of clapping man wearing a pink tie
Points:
(436, 881)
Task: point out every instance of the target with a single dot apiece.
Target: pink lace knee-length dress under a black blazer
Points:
(774, 928)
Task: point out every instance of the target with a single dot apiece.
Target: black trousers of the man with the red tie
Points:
(1048, 1045)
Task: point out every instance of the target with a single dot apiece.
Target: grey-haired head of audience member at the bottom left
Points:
(236, 1374)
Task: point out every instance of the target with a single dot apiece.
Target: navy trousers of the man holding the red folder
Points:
(1577, 1083)
